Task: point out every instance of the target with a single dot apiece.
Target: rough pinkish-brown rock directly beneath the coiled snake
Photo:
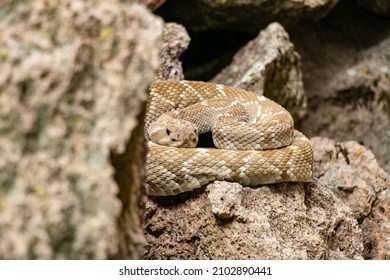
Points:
(228, 221)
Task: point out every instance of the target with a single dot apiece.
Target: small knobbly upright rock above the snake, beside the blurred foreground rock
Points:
(176, 41)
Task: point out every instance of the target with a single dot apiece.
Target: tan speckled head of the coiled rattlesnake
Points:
(171, 132)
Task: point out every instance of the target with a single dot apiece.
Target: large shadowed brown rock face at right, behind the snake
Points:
(347, 77)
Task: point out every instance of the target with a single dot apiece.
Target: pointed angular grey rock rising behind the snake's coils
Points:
(268, 65)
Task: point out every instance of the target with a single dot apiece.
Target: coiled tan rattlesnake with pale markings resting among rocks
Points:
(277, 152)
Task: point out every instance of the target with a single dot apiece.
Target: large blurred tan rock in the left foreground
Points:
(71, 91)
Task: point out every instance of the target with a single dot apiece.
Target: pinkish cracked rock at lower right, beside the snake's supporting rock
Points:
(353, 174)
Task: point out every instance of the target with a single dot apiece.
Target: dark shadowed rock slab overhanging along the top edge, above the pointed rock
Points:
(248, 16)
